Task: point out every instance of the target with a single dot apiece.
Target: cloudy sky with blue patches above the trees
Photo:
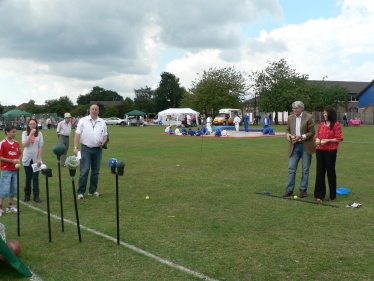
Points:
(52, 49)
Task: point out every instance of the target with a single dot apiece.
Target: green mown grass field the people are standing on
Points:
(203, 214)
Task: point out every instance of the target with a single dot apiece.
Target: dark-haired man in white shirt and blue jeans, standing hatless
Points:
(92, 133)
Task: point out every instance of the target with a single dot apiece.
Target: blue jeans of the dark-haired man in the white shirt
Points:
(91, 158)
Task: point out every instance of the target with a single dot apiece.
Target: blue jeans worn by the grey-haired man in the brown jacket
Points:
(299, 152)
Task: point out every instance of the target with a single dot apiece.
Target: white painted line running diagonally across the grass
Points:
(132, 247)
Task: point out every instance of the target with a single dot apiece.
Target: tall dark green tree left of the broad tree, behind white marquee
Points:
(169, 93)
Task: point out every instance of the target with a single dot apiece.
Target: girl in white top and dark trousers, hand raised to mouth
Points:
(32, 141)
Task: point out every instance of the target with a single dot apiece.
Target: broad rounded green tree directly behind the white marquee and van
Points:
(217, 88)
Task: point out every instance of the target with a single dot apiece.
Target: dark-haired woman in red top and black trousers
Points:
(328, 137)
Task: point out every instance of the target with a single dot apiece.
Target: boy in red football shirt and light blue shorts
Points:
(9, 156)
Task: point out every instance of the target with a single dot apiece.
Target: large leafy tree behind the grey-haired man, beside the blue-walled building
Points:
(278, 86)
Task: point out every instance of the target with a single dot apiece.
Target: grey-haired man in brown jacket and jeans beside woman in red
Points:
(300, 134)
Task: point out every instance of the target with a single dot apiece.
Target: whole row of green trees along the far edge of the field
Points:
(275, 88)
